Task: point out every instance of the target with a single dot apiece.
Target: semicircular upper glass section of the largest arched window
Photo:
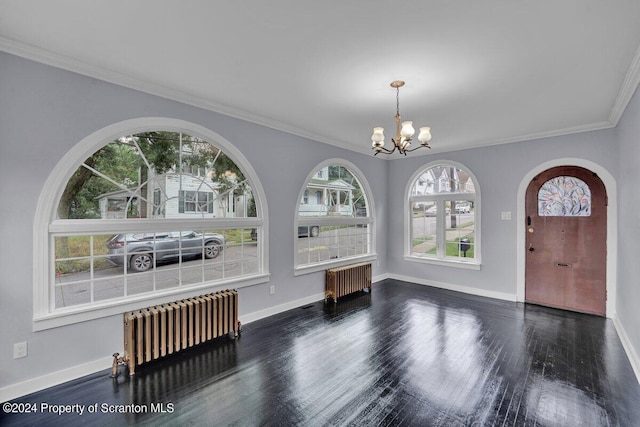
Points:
(155, 175)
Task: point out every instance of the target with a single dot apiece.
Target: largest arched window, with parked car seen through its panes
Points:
(160, 211)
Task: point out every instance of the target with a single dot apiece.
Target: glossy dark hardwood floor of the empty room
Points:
(403, 355)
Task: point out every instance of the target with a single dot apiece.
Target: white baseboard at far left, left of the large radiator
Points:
(55, 378)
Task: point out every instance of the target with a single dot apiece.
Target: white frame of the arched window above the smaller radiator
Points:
(336, 221)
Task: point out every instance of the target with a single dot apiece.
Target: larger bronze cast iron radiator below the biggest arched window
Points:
(161, 330)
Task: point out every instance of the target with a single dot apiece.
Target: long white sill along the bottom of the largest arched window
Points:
(71, 315)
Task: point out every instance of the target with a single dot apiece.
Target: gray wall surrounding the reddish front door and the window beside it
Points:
(499, 170)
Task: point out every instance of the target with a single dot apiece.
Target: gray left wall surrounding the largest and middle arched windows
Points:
(44, 112)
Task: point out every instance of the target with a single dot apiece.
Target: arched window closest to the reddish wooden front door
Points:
(443, 208)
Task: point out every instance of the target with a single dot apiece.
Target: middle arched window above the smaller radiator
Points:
(336, 226)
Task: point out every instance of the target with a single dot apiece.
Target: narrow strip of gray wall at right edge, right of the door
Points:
(628, 131)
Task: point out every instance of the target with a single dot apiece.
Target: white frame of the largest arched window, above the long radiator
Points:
(45, 316)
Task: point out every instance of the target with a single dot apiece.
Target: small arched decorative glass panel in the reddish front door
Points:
(564, 196)
